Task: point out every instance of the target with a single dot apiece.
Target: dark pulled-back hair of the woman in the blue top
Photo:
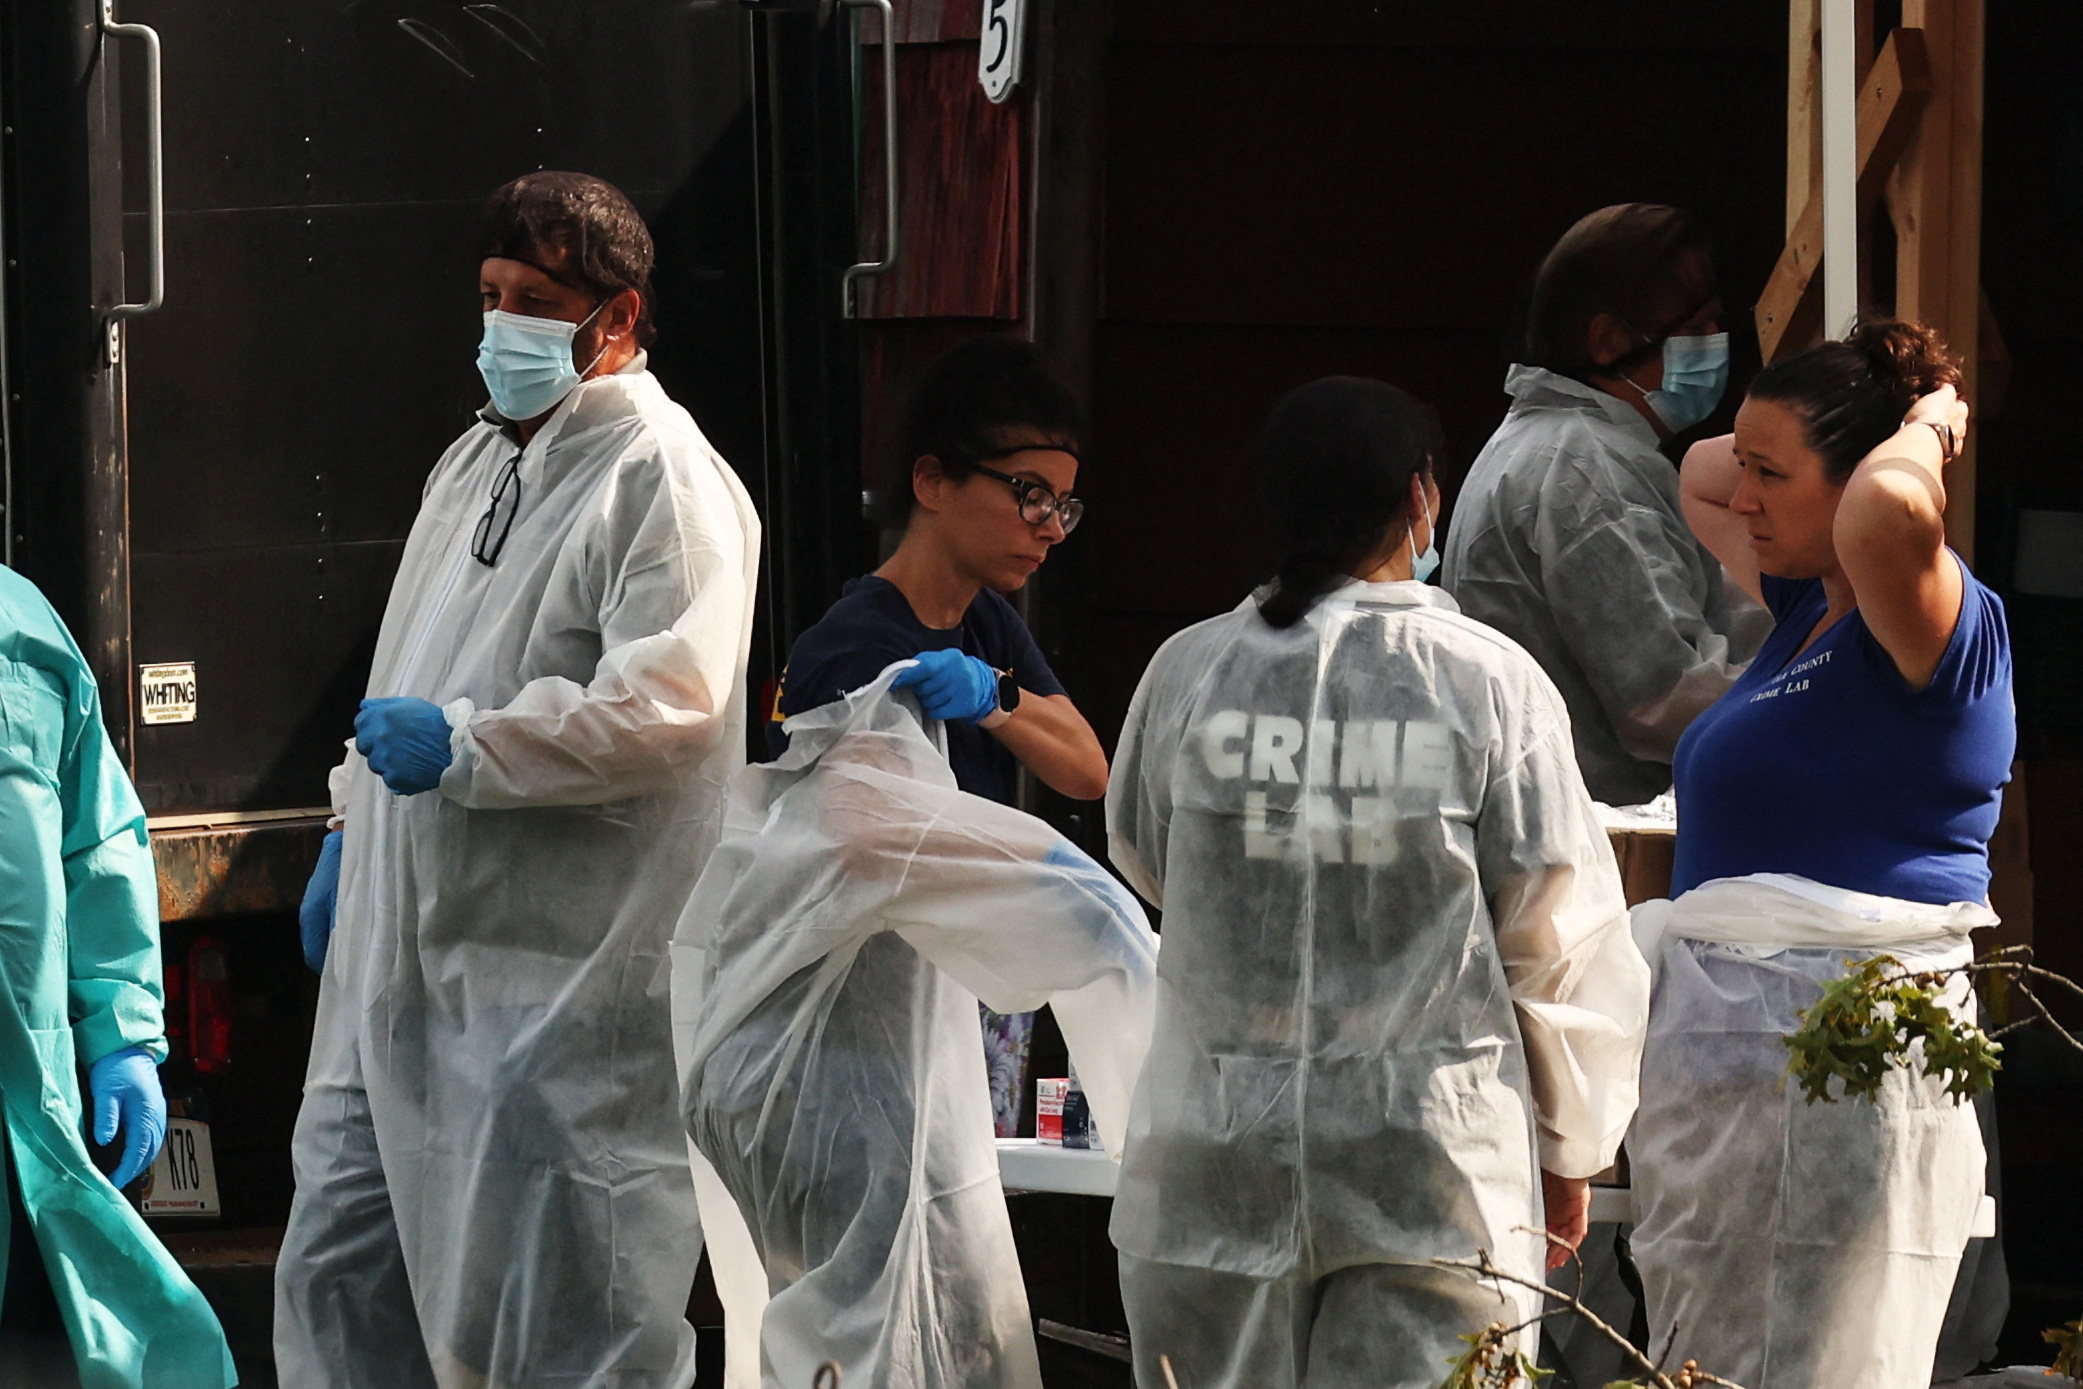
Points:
(1853, 395)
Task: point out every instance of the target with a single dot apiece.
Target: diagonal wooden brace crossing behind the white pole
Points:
(1890, 101)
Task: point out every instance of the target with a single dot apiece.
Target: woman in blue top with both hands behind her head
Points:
(1834, 805)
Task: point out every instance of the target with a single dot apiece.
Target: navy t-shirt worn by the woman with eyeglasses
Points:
(874, 626)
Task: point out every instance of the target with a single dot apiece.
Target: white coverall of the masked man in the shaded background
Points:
(1570, 540)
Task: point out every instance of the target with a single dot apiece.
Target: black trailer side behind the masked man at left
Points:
(234, 490)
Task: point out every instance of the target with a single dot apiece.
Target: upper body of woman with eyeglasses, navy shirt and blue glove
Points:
(982, 497)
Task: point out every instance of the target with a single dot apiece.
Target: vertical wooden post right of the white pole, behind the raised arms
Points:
(1936, 203)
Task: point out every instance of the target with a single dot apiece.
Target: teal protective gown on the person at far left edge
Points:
(80, 980)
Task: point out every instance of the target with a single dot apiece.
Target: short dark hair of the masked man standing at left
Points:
(580, 232)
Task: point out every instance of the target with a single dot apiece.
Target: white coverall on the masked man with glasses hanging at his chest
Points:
(491, 1178)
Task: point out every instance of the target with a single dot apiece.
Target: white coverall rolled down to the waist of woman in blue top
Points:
(1795, 1246)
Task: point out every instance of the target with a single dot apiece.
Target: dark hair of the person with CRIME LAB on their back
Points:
(1334, 470)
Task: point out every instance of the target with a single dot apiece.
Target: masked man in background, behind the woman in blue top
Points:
(1570, 536)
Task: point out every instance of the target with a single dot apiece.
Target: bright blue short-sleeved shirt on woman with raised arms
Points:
(1834, 769)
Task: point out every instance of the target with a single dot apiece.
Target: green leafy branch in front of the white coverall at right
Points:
(1882, 1017)
